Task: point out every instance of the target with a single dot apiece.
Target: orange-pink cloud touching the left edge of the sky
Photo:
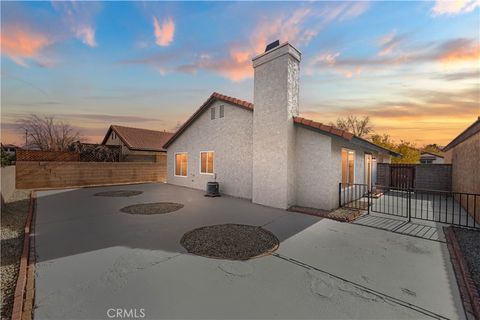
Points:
(18, 43)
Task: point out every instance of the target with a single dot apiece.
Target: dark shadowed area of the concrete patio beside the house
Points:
(72, 222)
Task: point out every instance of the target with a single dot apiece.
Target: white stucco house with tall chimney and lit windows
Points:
(266, 152)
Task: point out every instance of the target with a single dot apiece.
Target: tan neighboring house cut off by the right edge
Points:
(463, 153)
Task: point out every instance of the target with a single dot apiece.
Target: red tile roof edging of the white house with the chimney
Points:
(322, 128)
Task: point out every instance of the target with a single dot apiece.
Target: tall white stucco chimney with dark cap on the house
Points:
(275, 97)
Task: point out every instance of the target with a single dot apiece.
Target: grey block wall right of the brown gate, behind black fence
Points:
(433, 177)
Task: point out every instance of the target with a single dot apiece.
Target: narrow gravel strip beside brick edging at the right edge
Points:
(469, 241)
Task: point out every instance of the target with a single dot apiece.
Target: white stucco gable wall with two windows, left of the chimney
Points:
(231, 139)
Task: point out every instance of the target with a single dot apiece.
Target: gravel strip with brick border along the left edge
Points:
(13, 218)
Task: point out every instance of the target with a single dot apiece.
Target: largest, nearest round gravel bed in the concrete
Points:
(230, 241)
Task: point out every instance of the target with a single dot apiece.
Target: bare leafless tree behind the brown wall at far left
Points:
(46, 133)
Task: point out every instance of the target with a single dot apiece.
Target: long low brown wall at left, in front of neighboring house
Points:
(43, 174)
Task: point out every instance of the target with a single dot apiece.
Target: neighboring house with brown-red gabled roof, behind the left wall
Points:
(141, 145)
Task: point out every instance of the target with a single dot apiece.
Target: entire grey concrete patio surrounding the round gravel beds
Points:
(92, 259)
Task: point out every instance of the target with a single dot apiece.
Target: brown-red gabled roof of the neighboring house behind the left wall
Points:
(140, 139)
